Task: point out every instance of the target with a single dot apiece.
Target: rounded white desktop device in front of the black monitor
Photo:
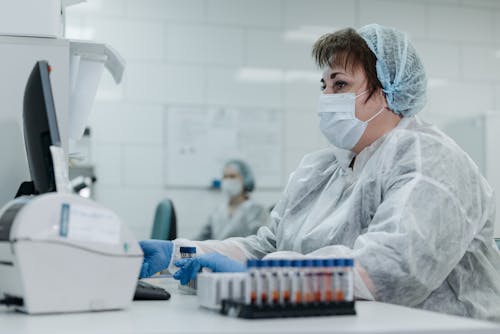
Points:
(64, 253)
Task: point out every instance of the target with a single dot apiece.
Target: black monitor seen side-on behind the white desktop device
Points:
(40, 127)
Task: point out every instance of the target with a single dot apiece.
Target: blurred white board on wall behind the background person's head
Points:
(199, 141)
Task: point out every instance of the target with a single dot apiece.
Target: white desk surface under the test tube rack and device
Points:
(181, 314)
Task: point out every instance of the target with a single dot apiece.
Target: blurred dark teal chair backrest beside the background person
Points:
(165, 221)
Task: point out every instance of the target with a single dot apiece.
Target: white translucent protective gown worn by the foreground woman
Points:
(414, 212)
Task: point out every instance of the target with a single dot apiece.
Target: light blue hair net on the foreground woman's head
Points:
(399, 69)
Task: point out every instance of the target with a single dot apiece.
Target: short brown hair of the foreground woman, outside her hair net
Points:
(348, 49)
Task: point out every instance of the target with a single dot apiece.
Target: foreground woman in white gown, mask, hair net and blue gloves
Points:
(394, 193)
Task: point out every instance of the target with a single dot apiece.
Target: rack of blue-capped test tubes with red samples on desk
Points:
(281, 288)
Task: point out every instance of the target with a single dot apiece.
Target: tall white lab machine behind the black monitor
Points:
(30, 31)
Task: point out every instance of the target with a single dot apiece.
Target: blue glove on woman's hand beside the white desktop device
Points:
(157, 255)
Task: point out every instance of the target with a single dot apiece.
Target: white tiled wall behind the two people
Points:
(199, 53)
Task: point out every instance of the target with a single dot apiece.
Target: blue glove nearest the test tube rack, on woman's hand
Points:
(189, 268)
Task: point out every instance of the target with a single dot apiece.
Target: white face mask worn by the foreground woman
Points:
(338, 121)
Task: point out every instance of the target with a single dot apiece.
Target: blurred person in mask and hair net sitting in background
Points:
(238, 215)
